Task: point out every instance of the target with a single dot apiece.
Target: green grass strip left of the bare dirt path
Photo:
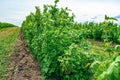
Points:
(8, 39)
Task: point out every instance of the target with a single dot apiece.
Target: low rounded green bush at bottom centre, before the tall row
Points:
(75, 63)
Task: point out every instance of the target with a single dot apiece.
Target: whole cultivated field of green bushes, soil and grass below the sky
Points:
(64, 49)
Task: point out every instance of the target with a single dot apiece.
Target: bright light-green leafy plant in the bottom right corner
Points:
(108, 69)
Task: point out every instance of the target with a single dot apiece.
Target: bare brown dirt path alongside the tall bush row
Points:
(25, 67)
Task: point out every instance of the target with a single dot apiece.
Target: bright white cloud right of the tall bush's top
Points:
(92, 8)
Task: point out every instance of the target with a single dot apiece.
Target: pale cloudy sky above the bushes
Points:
(15, 11)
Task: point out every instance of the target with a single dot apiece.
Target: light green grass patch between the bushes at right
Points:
(98, 47)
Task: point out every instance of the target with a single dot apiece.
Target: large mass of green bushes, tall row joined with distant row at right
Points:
(59, 43)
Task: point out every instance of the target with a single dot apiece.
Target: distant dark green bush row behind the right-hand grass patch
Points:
(101, 31)
